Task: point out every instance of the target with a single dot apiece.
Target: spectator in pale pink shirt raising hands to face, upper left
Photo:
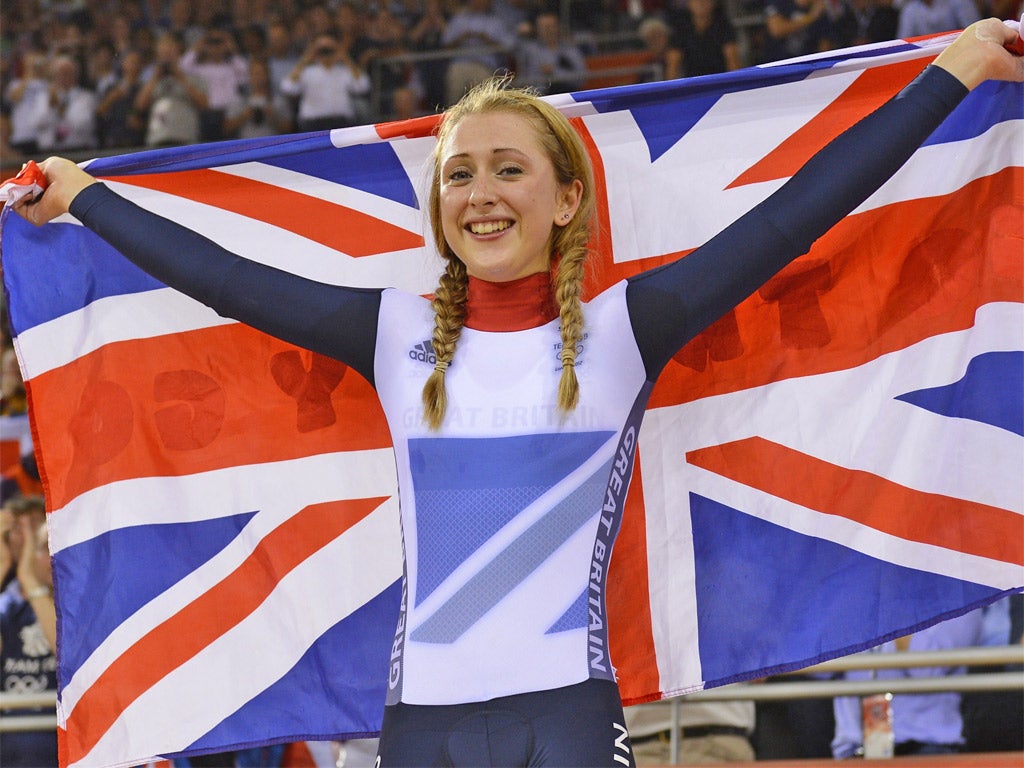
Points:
(215, 60)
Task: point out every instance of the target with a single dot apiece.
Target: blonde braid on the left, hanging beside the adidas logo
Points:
(450, 314)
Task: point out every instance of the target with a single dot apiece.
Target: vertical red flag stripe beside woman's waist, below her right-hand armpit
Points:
(631, 639)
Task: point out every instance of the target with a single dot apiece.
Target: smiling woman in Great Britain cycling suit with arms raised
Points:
(514, 407)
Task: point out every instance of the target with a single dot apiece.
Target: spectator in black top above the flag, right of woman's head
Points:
(706, 37)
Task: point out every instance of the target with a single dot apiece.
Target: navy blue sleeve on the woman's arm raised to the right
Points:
(671, 305)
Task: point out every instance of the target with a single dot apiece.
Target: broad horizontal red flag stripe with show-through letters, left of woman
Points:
(206, 400)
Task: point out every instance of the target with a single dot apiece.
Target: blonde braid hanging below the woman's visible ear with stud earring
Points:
(569, 282)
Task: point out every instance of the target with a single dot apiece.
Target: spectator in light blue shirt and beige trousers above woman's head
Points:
(475, 26)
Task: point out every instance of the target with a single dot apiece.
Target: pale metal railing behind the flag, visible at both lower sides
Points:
(977, 657)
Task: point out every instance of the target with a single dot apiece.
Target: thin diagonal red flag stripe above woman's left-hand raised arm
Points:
(336, 227)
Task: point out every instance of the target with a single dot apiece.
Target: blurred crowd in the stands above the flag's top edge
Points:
(81, 75)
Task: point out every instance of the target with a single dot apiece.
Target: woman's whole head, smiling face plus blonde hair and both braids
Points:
(513, 191)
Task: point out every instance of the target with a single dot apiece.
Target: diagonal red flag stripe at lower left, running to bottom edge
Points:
(195, 627)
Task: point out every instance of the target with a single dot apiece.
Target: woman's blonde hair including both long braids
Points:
(568, 244)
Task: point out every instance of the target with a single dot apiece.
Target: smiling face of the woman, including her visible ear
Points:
(500, 198)
